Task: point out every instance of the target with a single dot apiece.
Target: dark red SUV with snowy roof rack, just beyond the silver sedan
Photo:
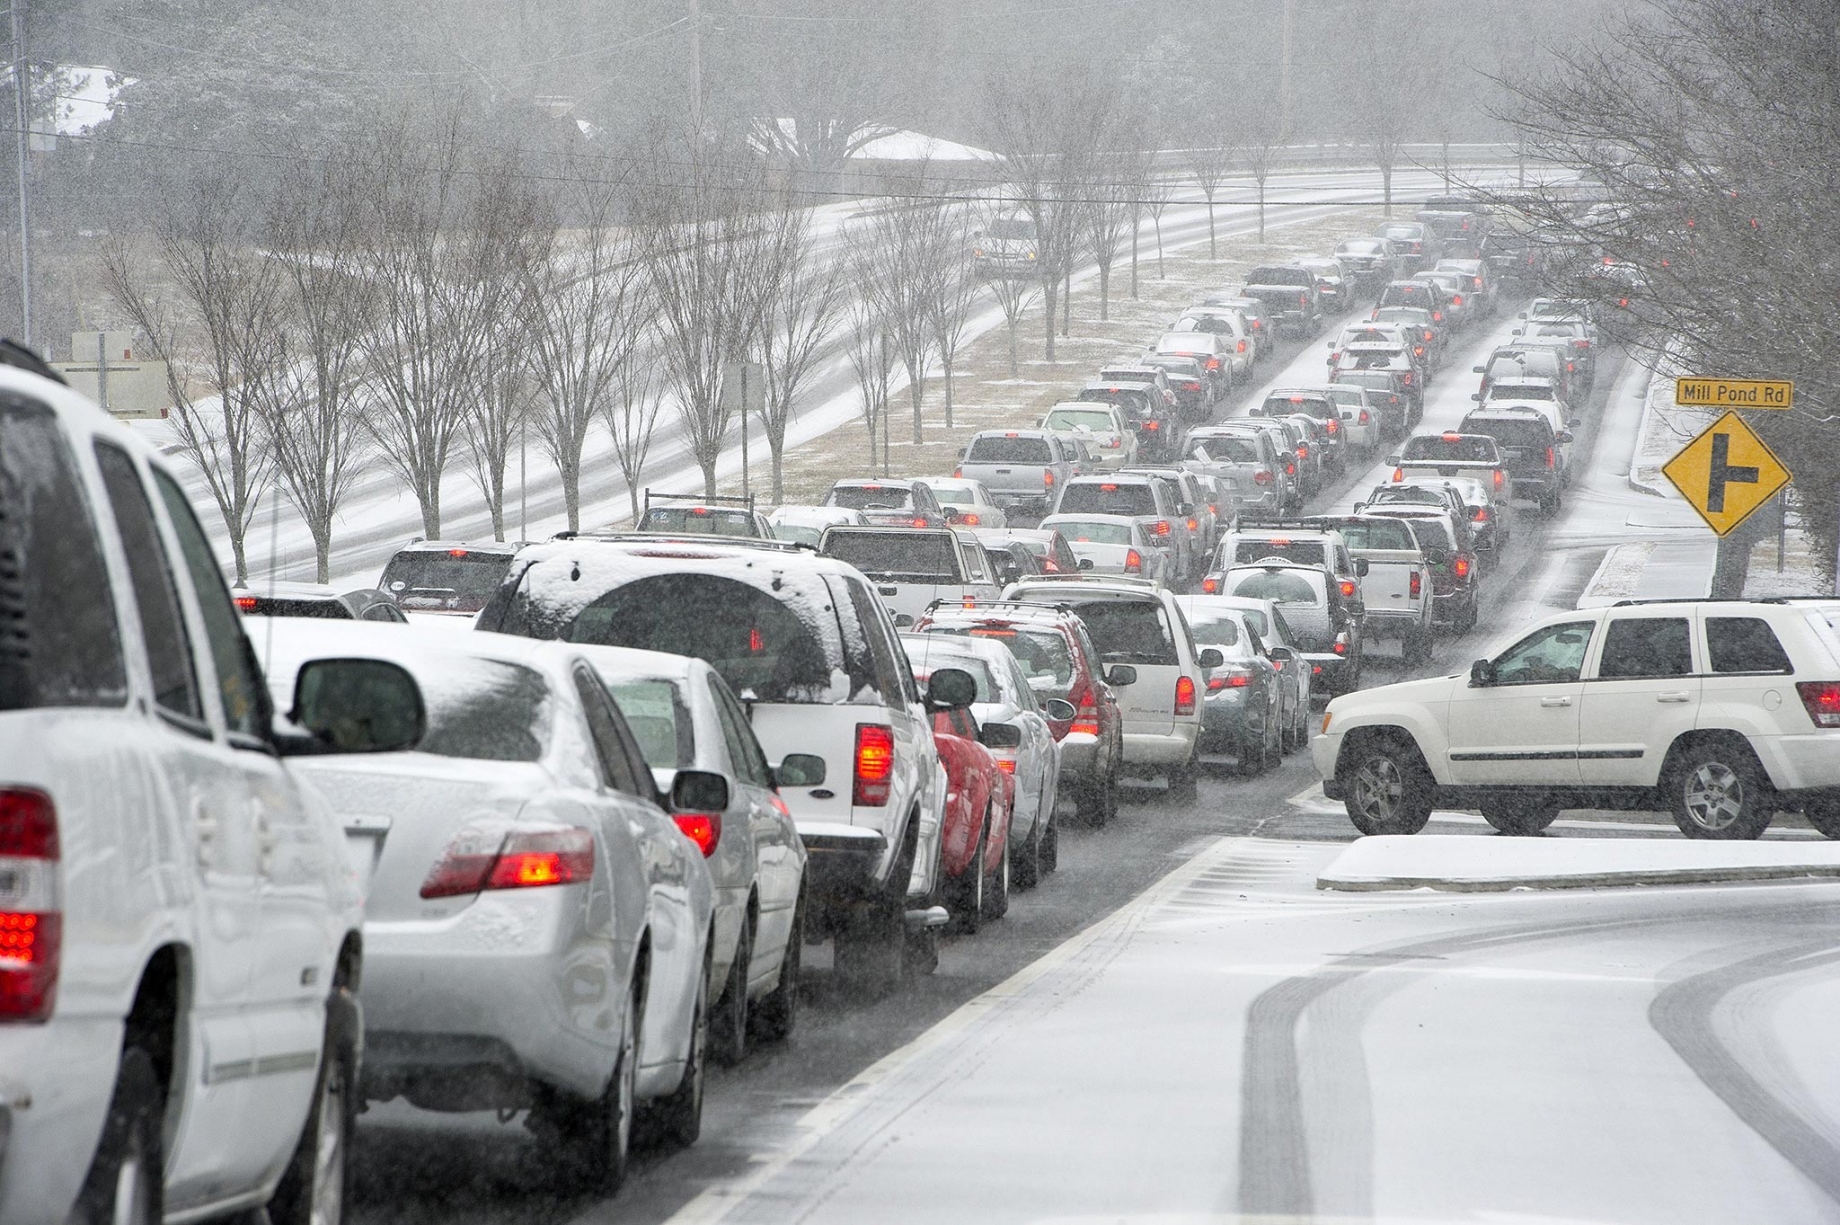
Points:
(1061, 661)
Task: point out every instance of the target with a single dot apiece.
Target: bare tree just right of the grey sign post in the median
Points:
(801, 314)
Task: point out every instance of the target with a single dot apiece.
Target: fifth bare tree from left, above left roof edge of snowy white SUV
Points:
(584, 303)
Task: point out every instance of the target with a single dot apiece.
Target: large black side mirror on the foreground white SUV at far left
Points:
(354, 705)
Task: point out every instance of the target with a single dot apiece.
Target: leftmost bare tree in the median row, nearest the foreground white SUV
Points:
(211, 306)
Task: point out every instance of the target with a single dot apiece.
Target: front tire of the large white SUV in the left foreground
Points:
(317, 1184)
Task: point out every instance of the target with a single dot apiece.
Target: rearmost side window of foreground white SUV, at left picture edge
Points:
(60, 645)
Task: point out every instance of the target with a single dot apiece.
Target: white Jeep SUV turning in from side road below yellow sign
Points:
(1721, 713)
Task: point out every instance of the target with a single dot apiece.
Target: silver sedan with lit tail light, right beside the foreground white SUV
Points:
(523, 808)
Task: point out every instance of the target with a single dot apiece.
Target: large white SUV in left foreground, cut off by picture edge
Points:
(179, 926)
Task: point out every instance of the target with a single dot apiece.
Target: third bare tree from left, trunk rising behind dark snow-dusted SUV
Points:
(422, 339)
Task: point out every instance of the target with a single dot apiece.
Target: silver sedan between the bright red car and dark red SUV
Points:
(1015, 726)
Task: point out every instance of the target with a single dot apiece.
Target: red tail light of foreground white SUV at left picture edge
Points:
(32, 924)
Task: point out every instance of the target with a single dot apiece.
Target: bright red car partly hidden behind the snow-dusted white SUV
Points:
(974, 860)
